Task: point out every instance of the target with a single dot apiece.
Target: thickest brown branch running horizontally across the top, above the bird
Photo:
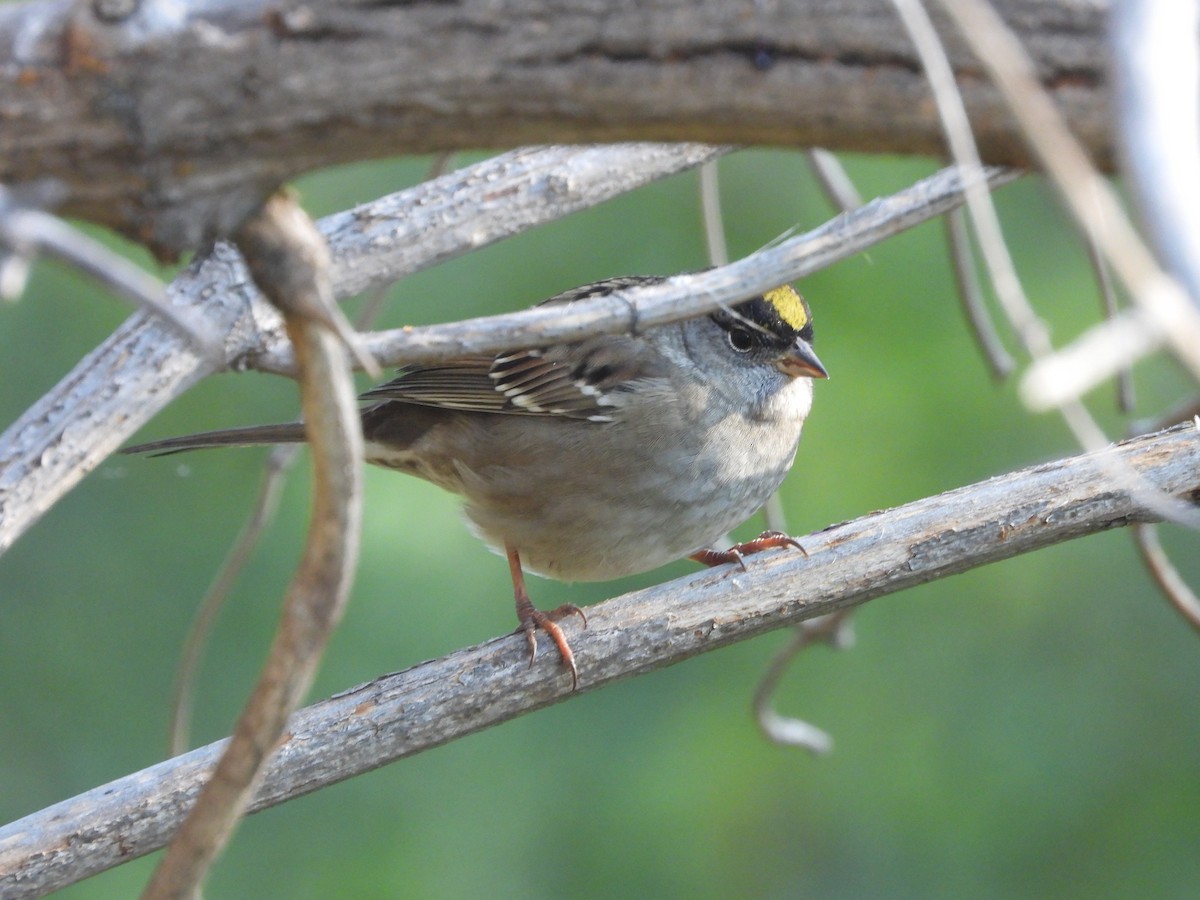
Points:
(175, 123)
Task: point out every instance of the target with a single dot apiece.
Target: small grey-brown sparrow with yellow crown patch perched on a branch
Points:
(602, 458)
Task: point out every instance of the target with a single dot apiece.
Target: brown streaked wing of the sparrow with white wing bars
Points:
(575, 381)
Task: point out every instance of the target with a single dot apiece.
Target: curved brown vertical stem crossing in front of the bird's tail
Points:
(290, 263)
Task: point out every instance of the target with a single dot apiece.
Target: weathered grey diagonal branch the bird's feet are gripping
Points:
(436, 703)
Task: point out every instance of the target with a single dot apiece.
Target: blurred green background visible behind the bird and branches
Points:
(1029, 729)
